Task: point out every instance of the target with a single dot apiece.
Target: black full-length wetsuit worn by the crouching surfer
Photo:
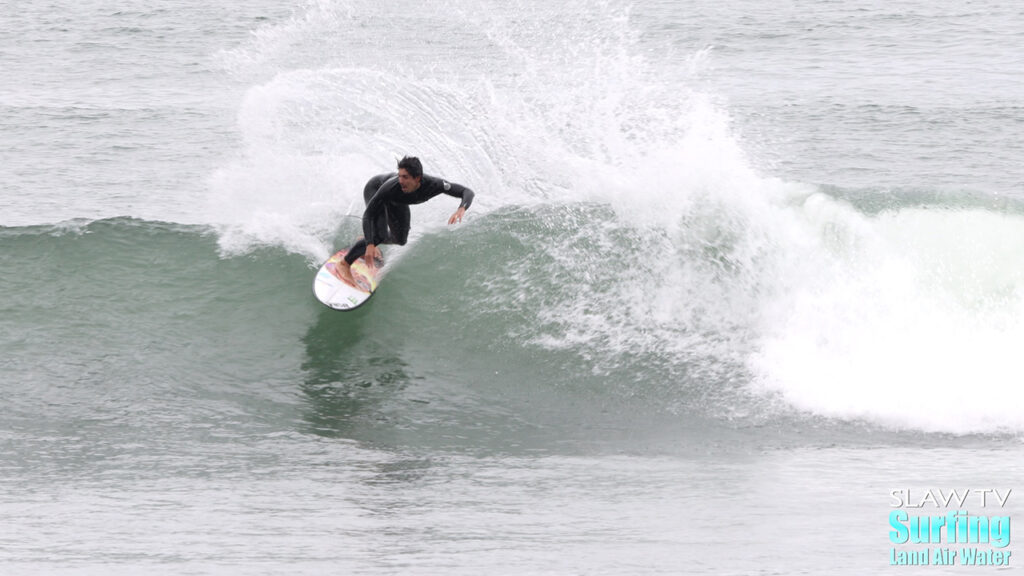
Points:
(387, 220)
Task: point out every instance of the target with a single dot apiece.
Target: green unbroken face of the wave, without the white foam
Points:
(138, 333)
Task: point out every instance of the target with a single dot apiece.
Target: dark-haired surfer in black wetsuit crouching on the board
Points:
(387, 220)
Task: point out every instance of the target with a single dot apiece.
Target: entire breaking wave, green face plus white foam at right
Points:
(522, 319)
